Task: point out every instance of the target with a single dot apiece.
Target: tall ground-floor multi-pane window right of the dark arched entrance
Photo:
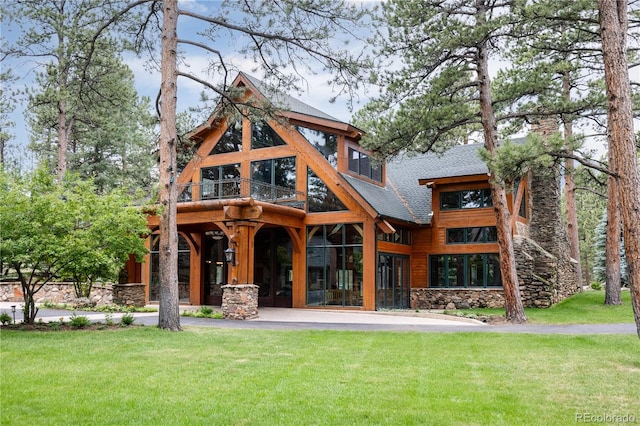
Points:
(334, 265)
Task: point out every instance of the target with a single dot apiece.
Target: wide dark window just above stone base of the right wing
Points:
(464, 270)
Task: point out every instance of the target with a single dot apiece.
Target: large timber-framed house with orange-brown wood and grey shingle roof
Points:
(313, 223)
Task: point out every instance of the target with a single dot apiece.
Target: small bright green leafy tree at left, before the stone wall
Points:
(52, 230)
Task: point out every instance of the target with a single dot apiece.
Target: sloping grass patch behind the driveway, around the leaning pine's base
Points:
(586, 307)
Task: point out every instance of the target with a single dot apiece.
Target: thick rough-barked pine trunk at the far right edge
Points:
(613, 30)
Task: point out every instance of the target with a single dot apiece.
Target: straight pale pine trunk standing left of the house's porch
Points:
(169, 311)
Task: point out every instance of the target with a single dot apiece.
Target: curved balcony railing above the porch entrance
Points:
(238, 188)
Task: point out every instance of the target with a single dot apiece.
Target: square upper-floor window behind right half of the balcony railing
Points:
(273, 179)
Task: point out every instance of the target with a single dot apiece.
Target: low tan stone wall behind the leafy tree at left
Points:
(55, 293)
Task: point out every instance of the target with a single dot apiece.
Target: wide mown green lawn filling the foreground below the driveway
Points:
(146, 376)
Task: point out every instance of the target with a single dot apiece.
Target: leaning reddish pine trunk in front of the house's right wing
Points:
(513, 301)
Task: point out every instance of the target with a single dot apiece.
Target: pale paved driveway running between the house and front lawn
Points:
(299, 319)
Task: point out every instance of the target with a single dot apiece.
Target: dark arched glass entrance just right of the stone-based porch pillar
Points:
(273, 269)
